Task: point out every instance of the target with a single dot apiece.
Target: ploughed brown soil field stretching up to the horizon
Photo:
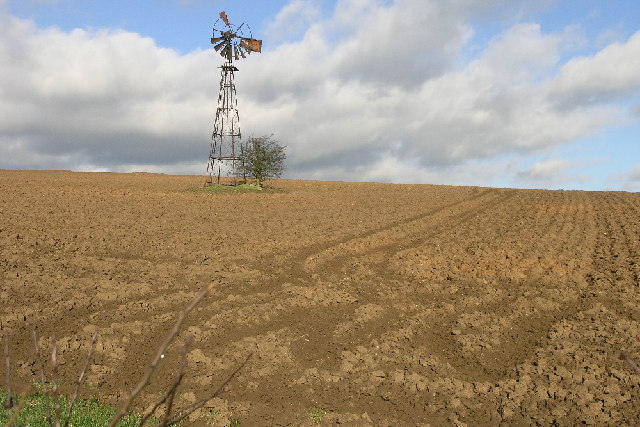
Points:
(381, 304)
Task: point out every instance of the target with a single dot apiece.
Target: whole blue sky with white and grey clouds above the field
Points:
(497, 93)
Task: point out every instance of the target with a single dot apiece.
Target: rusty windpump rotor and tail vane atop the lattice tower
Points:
(231, 41)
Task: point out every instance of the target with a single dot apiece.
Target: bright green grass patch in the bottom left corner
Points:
(86, 413)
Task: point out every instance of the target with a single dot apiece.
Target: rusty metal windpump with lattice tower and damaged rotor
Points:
(232, 43)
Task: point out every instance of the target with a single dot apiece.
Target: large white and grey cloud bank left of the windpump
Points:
(100, 98)
